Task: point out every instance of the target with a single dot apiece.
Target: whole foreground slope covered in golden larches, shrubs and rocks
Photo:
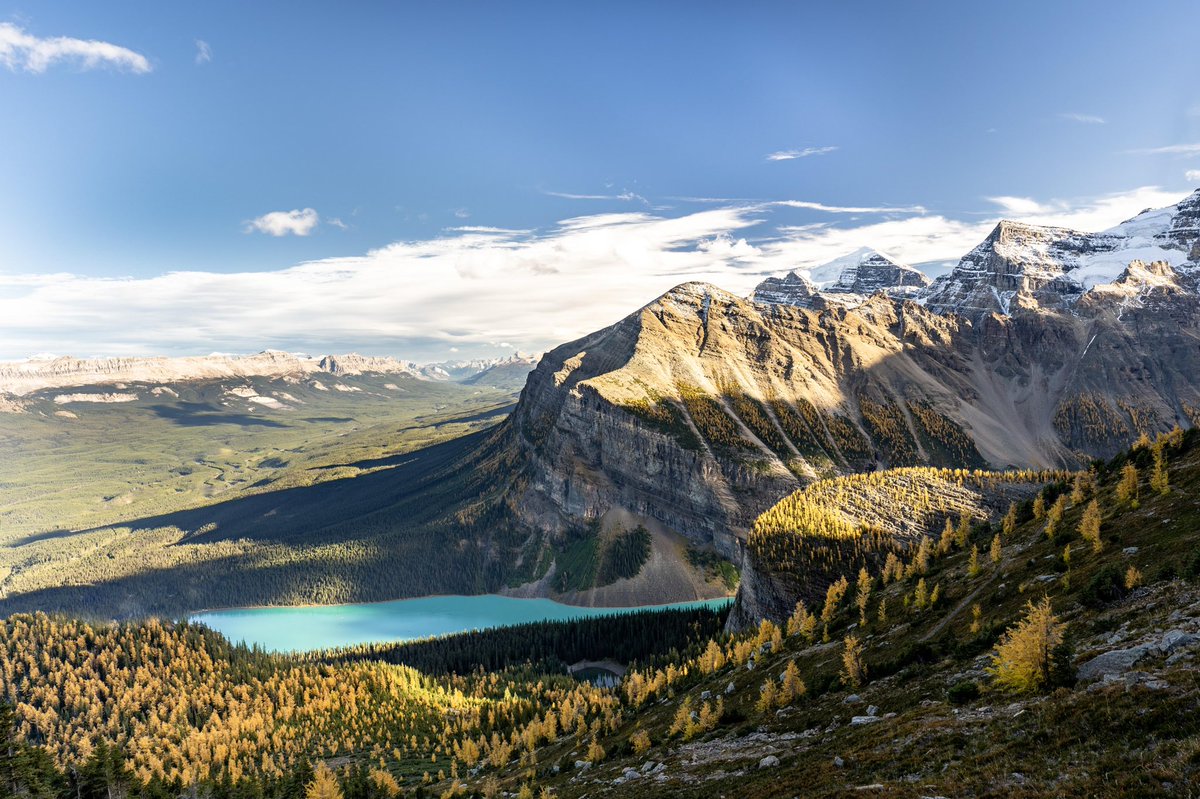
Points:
(1042, 650)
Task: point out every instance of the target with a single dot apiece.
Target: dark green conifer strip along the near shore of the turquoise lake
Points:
(550, 647)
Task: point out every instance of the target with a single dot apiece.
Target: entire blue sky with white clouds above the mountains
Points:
(440, 181)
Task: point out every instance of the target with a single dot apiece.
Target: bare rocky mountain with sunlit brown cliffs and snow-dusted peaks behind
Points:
(1043, 349)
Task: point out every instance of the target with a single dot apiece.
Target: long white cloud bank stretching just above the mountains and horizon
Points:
(479, 289)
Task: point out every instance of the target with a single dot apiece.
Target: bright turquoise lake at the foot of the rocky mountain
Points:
(286, 629)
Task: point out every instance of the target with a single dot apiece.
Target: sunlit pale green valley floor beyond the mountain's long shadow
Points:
(127, 461)
